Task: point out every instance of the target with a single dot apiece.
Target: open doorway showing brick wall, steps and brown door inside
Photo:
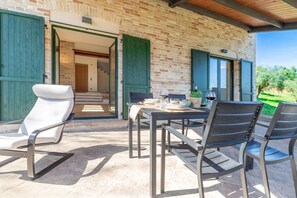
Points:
(87, 62)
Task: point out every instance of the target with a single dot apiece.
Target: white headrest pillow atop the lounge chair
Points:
(53, 91)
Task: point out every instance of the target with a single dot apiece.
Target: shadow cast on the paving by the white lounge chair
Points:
(72, 170)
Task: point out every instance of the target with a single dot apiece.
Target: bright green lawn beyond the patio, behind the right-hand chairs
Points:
(271, 101)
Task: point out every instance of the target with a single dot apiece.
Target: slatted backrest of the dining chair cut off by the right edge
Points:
(284, 122)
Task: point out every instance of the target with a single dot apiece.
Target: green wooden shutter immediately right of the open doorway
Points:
(136, 68)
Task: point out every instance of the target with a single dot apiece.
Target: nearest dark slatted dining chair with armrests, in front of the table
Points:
(228, 124)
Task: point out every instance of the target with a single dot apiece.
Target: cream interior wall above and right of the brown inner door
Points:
(92, 70)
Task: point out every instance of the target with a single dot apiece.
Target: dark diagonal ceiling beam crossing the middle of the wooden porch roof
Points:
(250, 12)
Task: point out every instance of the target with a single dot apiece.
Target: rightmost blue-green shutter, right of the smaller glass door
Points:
(246, 80)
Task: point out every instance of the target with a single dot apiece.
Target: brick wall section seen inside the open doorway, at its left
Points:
(67, 67)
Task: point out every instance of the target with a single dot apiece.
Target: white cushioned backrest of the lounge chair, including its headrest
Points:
(54, 104)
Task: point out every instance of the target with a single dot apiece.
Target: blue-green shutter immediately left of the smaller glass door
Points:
(199, 71)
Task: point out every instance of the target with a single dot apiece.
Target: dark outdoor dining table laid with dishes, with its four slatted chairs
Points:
(225, 123)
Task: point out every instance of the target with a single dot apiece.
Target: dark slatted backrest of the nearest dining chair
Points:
(230, 123)
